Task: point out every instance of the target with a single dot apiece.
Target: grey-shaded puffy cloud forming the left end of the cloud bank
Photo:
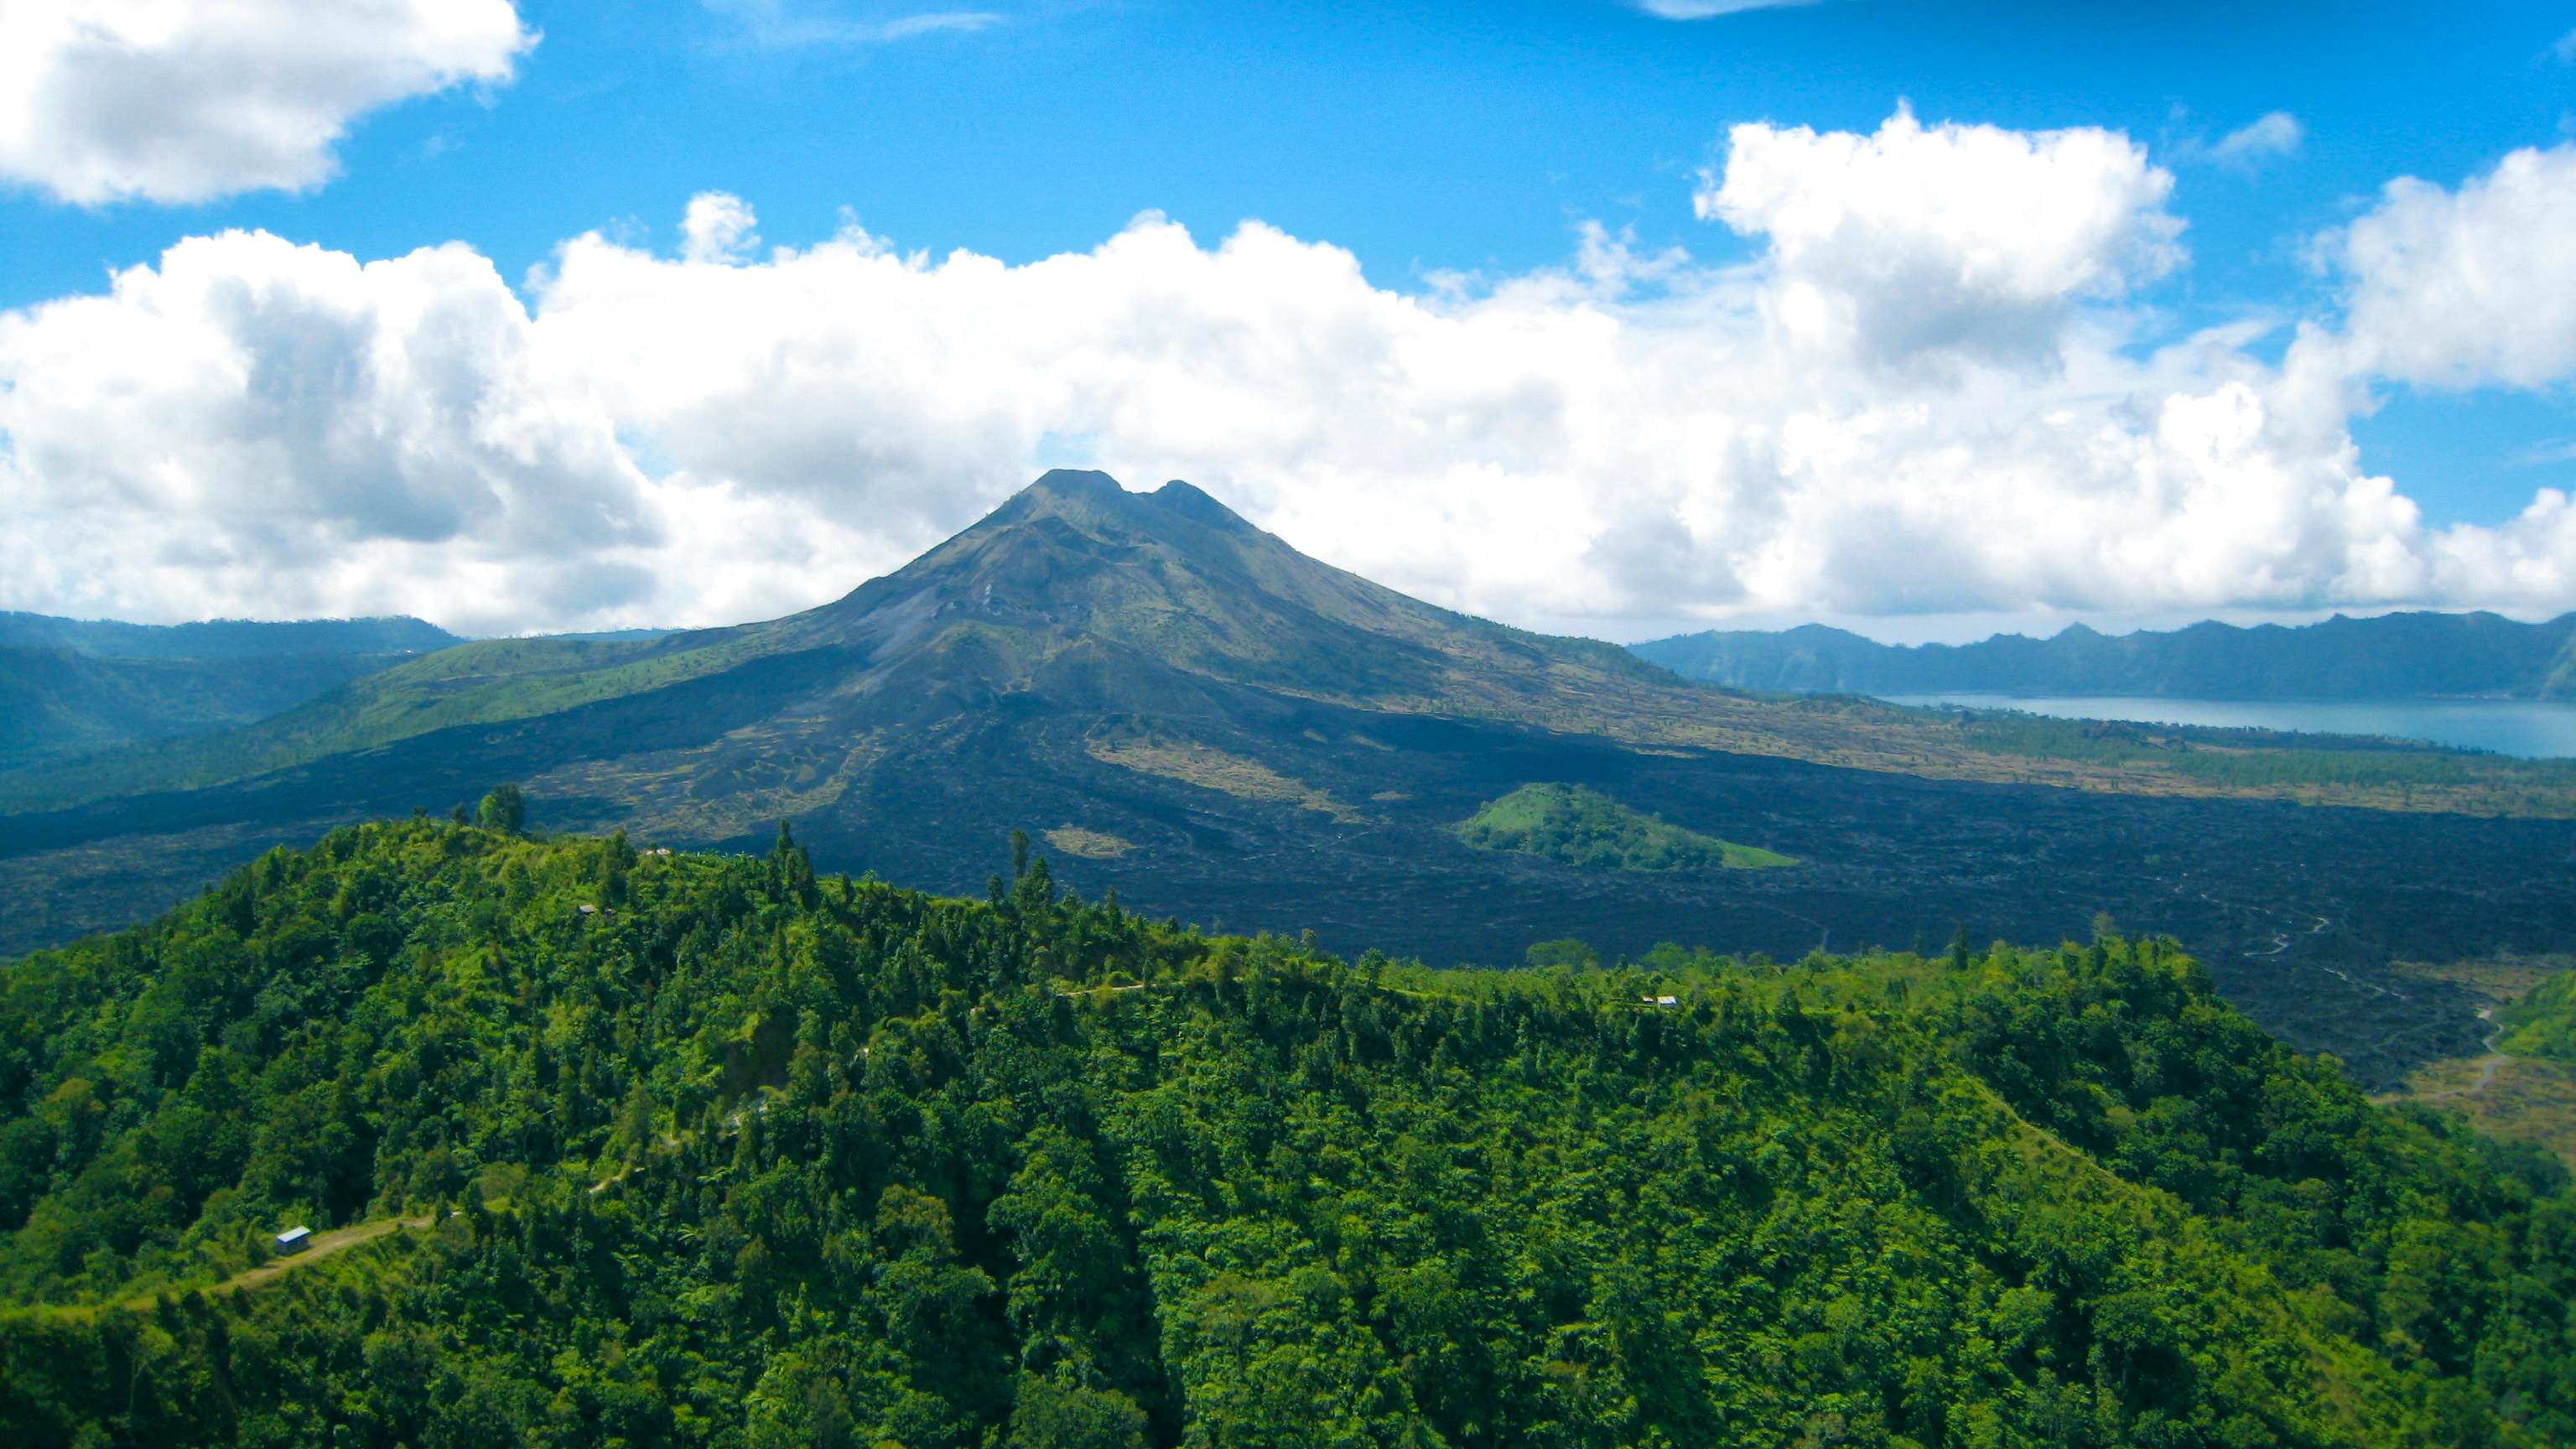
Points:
(256, 416)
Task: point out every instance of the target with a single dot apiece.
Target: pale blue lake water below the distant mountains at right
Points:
(2505, 726)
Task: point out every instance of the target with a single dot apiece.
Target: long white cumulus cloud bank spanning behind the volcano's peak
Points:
(1900, 406)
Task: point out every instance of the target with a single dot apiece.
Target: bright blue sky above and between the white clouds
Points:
(1426, 141)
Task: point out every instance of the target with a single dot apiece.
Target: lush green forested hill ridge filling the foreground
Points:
(759, 1159)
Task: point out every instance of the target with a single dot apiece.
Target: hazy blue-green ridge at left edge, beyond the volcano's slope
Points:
(73, 685)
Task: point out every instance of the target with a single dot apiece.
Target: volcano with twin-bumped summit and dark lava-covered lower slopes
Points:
(1194, 715)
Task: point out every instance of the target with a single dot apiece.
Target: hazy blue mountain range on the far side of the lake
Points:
(2394, 656)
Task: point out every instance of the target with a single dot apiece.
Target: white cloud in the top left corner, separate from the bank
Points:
(194, 99)
